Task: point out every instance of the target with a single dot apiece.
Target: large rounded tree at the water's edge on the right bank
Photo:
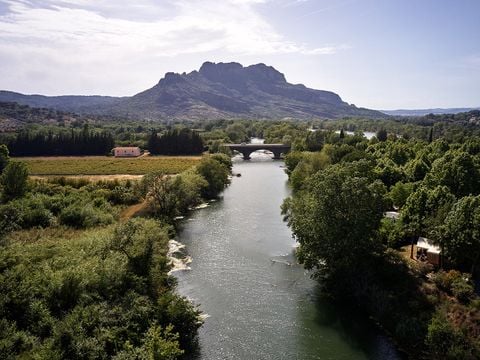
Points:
(336, 218)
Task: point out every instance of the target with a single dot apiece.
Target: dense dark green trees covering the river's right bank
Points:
(340, 193)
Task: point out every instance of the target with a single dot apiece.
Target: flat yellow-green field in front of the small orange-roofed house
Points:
(103, 165)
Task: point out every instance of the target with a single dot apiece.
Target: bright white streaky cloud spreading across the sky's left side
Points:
(96, 39)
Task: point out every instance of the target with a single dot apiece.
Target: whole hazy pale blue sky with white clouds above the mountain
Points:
(381, 54)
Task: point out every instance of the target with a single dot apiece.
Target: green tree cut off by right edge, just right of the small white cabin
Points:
(460, 236)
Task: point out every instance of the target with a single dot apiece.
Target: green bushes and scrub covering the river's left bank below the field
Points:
(78, 283)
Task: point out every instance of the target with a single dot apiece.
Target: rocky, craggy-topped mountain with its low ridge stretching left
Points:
(223, 90)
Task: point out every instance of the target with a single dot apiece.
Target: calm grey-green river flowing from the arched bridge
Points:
(260, 303)
